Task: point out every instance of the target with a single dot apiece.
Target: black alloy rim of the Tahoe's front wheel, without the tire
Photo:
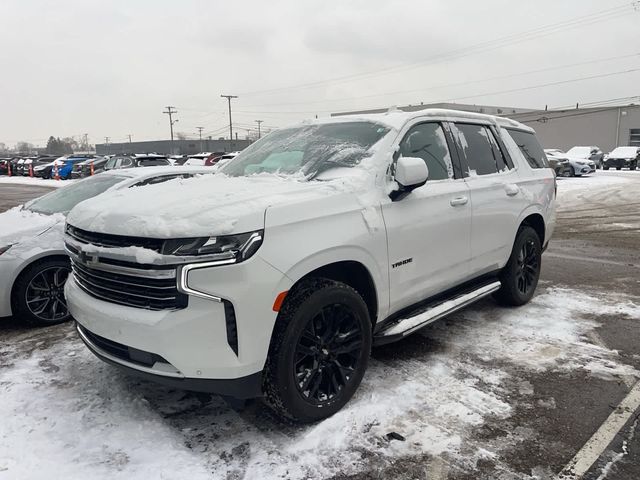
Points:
(327, 354)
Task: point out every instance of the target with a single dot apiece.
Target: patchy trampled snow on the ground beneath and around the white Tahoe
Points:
(64, 411)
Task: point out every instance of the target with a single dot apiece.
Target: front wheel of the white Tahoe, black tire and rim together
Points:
(312, 369)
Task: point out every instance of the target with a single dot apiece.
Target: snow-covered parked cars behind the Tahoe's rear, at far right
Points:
(579, 161)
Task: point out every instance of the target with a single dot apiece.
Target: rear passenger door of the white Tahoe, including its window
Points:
(495, 195)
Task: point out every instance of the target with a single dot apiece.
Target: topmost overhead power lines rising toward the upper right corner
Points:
(596, 17)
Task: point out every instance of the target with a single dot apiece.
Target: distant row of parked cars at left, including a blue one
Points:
(84, 165)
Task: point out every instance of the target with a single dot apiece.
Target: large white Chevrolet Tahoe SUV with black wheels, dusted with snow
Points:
(275, 277)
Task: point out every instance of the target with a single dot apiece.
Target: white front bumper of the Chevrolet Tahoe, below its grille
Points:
(192, 342)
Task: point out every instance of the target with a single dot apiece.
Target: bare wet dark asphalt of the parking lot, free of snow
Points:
(595, 249)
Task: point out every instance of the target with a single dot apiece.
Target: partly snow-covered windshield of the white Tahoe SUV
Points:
(308, 150)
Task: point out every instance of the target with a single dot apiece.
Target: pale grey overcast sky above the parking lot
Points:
(108, 68)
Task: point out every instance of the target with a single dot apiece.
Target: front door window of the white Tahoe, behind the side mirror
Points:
(428, 142)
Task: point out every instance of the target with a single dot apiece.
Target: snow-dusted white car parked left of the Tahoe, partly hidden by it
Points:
(33, 262)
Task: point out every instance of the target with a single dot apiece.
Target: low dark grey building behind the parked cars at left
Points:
(175, 147)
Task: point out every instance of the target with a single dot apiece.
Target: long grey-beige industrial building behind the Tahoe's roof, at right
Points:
(607, 127)
